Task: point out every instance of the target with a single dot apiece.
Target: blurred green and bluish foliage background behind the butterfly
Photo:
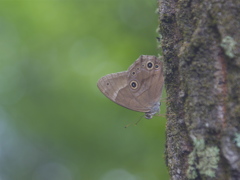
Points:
(54, 122)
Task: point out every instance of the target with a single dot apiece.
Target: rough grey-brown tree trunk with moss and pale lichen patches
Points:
(201, 50)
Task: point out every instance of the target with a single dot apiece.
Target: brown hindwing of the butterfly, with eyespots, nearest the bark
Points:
(147, 71)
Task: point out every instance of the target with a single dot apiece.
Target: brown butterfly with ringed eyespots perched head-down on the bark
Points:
(139, 88)
